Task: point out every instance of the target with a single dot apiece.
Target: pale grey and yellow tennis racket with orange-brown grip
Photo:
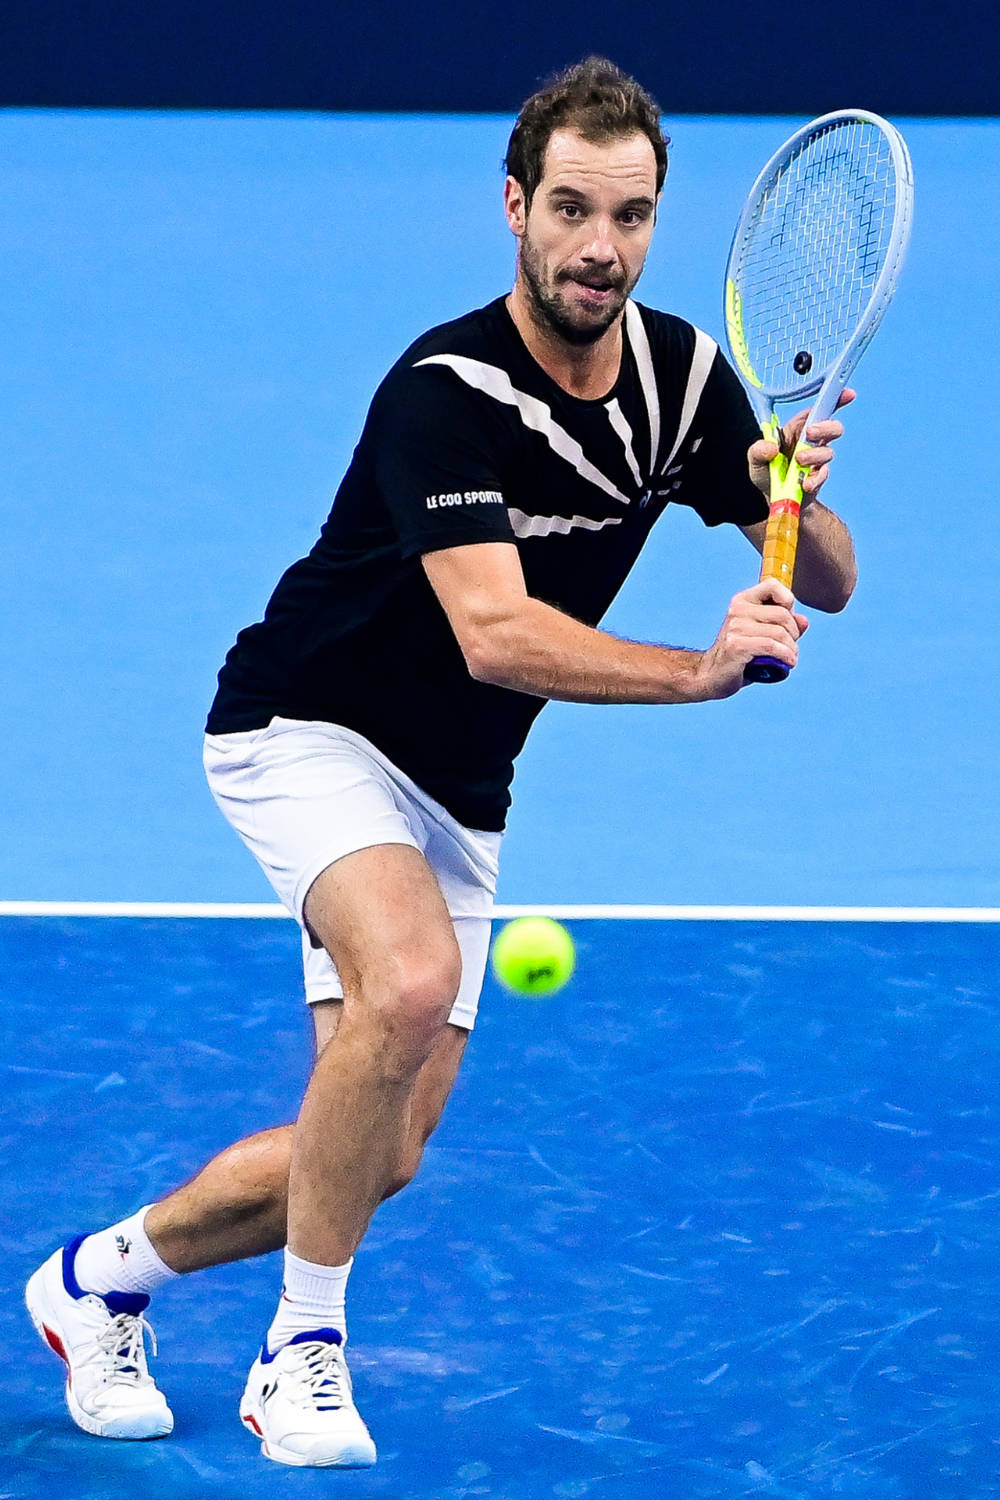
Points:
(815, 262)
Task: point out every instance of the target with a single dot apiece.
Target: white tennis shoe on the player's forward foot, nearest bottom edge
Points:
(299, 1403)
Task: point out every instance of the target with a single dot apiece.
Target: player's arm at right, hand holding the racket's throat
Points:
(825, 568)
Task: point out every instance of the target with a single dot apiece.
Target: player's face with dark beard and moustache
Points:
(584, 239)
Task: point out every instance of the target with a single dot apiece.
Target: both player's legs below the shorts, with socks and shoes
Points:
(397, 950)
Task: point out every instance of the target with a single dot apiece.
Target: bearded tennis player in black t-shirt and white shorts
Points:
(364, 736)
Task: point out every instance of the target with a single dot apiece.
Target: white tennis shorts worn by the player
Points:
(304, 794)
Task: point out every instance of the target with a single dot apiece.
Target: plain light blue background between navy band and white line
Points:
(196, 314)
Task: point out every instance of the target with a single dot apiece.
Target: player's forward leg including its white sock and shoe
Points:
(383, 920)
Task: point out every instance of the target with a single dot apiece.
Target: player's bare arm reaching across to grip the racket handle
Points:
(515, 641)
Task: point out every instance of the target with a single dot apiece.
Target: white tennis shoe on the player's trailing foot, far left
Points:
(110, 1391)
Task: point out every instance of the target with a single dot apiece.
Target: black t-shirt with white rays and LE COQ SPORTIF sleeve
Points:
(469, 440)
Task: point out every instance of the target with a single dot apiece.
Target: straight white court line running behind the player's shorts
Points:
(677, 914)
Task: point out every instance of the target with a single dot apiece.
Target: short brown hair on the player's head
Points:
(594, 98)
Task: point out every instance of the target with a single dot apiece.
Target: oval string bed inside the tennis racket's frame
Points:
(813, 253)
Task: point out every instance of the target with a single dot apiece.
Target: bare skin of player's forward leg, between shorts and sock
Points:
(382, 917)
